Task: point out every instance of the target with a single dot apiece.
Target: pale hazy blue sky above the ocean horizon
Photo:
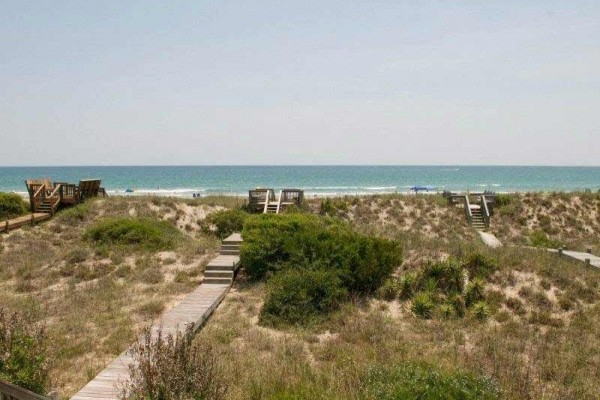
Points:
(299, 82)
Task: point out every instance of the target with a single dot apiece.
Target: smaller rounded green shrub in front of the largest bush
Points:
(300, 296)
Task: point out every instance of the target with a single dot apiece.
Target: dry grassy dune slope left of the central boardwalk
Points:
(94, 297)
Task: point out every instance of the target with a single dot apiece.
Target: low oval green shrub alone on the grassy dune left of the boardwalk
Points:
(136, 233)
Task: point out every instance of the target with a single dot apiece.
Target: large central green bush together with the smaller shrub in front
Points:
(313, 264)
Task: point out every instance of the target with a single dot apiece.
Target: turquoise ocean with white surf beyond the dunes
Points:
(321, 180)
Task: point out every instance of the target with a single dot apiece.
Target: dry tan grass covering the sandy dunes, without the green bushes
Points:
(536, 336)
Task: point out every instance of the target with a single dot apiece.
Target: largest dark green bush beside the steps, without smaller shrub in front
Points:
(275, 242)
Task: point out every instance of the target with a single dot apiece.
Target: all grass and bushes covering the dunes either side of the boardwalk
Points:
(370, 297)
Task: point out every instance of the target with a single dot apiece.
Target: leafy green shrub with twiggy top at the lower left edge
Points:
(23, 352)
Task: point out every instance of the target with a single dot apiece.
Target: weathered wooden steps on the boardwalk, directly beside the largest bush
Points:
(222, 269)
